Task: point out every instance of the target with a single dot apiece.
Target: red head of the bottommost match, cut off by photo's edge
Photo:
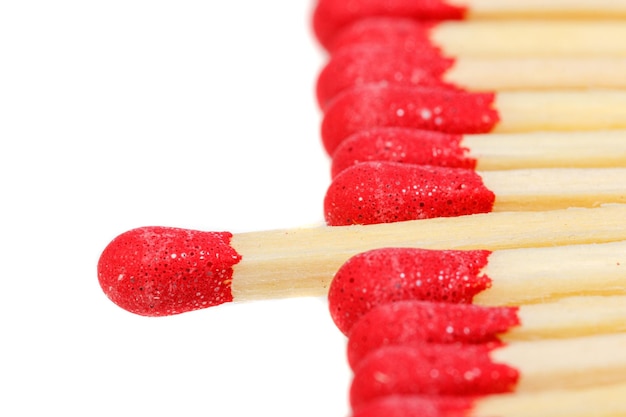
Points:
(416, 406)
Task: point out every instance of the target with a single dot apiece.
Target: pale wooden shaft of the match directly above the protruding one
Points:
(554, 188)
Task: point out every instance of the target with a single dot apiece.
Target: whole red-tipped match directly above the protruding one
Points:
(385, 192)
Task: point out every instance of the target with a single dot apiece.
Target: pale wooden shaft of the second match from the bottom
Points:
(566, 363)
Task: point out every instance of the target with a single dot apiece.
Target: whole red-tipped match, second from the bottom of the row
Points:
(484, 369)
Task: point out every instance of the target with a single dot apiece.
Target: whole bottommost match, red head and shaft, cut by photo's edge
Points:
(601, 401)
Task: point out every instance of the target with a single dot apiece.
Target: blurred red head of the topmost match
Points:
(330, 16)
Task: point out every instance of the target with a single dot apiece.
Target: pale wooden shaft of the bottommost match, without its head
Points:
(601, 401)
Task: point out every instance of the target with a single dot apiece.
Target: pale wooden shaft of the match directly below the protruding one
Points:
(529, 275)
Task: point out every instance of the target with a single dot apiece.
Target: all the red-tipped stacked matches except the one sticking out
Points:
(428, 119)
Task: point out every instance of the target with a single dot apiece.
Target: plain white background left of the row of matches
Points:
(118, 114)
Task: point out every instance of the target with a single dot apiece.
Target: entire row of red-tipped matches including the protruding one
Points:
(559, 270)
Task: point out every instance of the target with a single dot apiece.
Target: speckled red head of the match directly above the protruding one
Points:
(387, 192)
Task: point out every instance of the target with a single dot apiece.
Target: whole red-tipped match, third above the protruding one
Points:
(460, 112)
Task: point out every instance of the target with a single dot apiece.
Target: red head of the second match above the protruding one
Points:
(403, 145)
